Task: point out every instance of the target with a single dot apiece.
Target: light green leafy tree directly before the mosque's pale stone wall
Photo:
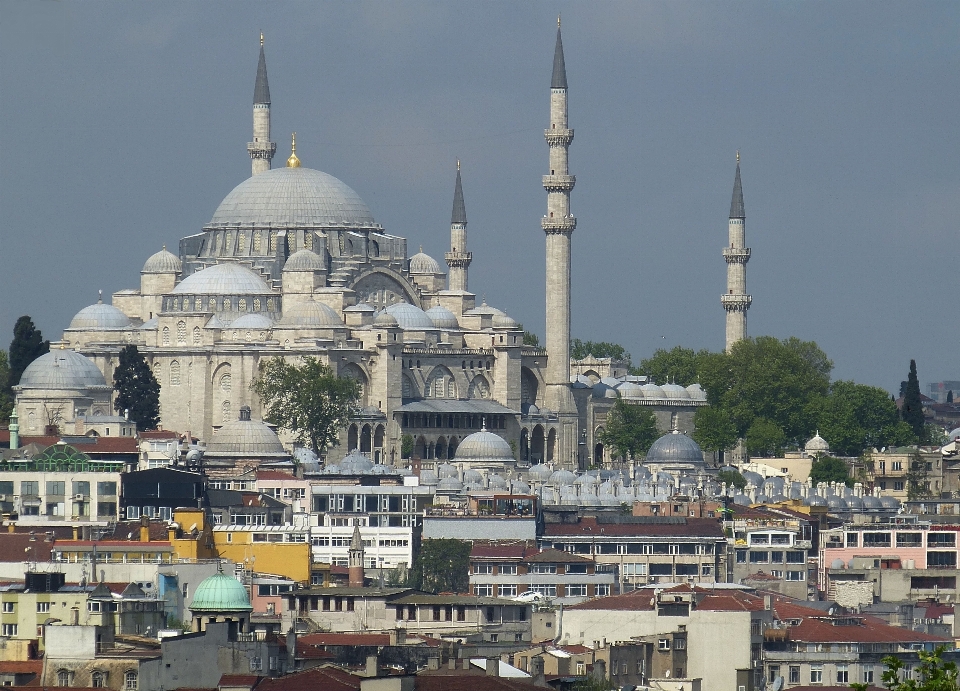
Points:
(308, 400)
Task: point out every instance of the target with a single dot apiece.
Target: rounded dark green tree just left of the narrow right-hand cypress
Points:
(854, 417)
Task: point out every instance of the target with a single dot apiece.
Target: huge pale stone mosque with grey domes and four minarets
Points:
(293, 263)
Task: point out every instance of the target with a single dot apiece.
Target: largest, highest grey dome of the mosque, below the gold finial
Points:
(292, 198)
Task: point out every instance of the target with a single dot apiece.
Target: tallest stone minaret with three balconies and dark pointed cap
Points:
(559, 224)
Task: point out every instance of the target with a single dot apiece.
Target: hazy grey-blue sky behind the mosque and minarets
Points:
(127, 123)
